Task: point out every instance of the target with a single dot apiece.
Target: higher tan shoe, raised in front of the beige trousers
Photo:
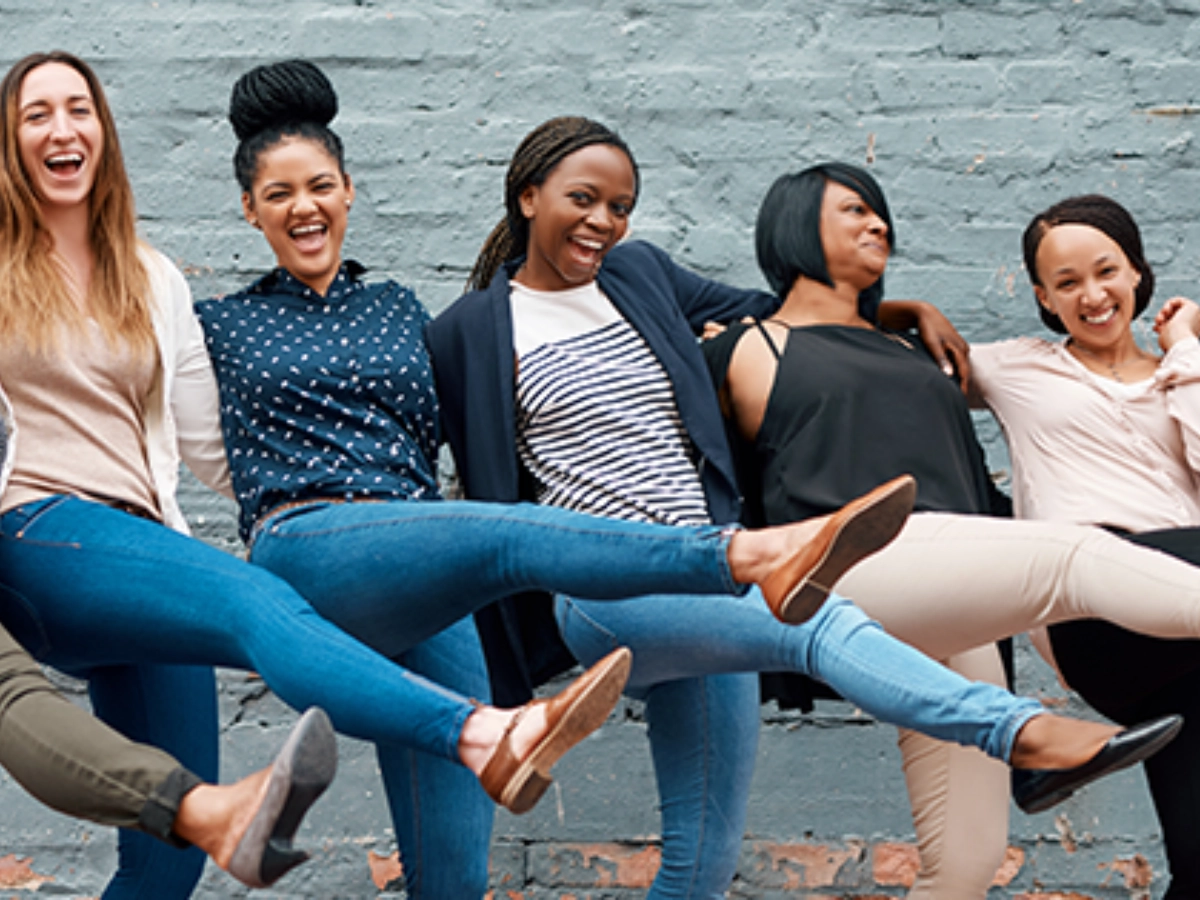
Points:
(799, 587)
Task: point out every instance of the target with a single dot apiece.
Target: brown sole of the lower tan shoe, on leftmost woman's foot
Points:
(585, 716)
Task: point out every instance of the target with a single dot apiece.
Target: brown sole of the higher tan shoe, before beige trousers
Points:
(866, 531)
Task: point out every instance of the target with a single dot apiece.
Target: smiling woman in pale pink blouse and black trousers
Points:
(1103, 431)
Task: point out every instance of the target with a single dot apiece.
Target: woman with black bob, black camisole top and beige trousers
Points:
(821, 399)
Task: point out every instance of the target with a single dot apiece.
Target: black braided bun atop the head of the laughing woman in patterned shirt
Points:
(287, 93)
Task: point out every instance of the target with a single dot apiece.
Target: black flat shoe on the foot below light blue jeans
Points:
(1039, 790)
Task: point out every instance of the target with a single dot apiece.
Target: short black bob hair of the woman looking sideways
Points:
(788, 236)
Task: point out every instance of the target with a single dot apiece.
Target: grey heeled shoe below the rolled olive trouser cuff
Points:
(302, 772)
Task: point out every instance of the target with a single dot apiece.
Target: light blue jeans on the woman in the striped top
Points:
(704, 718)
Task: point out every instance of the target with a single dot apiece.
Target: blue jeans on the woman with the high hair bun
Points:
(409, 571)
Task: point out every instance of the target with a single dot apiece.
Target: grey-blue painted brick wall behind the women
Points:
(973, 113)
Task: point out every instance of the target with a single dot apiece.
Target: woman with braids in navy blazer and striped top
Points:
(572, 376)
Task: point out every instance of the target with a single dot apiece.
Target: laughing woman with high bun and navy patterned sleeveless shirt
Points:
(331, 421)
